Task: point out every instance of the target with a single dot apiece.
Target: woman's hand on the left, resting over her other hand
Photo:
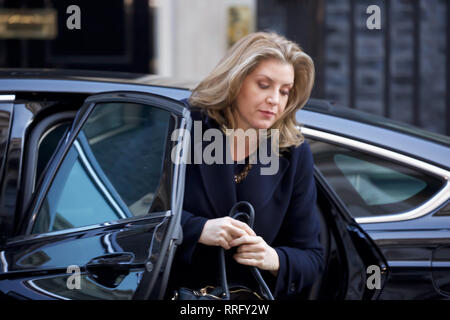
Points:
(221, 231)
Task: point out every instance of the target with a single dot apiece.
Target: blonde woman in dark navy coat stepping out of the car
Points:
(261, 83)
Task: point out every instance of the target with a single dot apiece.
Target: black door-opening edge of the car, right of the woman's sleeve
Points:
(351, 256)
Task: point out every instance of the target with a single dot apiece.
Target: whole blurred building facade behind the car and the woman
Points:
(400, 71)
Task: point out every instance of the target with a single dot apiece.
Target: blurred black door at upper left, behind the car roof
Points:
(116, 35)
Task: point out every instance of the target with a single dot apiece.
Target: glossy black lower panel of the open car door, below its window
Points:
(40, 268)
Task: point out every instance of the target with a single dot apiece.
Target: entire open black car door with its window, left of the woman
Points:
(104, 223)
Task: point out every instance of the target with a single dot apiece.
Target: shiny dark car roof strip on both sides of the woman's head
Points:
(320, 114)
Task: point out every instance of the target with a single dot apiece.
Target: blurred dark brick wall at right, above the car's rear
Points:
(398, 71)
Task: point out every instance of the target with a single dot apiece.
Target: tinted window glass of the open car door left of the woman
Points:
(112, 170)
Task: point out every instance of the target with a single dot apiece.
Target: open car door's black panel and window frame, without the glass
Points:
(121, 259)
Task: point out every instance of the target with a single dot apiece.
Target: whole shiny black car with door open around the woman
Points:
(90, 194)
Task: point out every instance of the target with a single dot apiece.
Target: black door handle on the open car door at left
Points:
(109, 270)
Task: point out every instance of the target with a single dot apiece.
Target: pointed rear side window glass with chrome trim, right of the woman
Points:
(370, 185)
